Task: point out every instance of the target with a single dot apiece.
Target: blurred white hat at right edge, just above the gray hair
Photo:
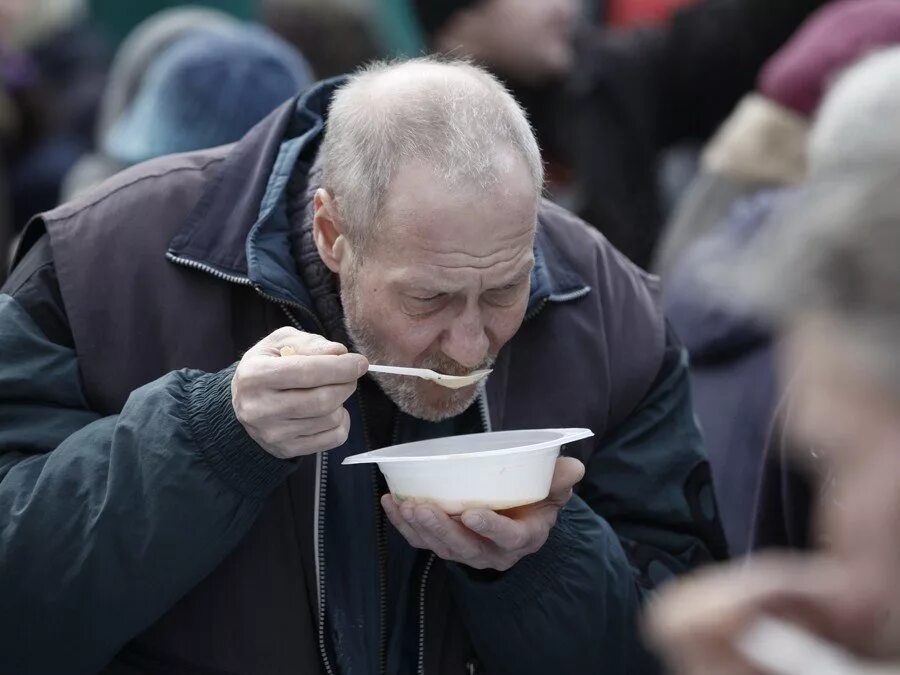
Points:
(857, 122)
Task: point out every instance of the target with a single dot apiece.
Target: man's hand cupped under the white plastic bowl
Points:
(483, 539)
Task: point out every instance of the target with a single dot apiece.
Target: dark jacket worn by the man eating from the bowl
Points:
(142, 528)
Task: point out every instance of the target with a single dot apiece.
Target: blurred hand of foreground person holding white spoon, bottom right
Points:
(696, 622)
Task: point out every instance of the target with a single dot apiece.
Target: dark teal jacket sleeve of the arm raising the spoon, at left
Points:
(106, 522)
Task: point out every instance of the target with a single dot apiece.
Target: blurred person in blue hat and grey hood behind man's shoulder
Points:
(196, 79)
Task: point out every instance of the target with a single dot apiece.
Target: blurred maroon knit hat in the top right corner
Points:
(833, 38)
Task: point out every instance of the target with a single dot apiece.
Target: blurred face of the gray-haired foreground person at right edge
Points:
(852, 425)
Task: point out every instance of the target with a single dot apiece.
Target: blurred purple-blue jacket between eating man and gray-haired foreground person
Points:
(732, 361)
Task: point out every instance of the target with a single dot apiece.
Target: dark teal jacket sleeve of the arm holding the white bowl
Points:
(644, 513)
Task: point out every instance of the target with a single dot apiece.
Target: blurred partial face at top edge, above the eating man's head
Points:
(526, 40)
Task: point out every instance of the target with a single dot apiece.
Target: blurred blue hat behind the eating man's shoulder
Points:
(207, 89)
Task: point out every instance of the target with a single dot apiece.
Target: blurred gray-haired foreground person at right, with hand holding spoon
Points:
(829, 278)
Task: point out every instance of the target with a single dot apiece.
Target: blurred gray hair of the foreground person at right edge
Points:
(834, 251)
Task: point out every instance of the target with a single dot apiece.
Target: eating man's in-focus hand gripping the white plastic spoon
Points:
(294, 405)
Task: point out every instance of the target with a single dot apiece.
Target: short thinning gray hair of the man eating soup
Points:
(451, 115)
